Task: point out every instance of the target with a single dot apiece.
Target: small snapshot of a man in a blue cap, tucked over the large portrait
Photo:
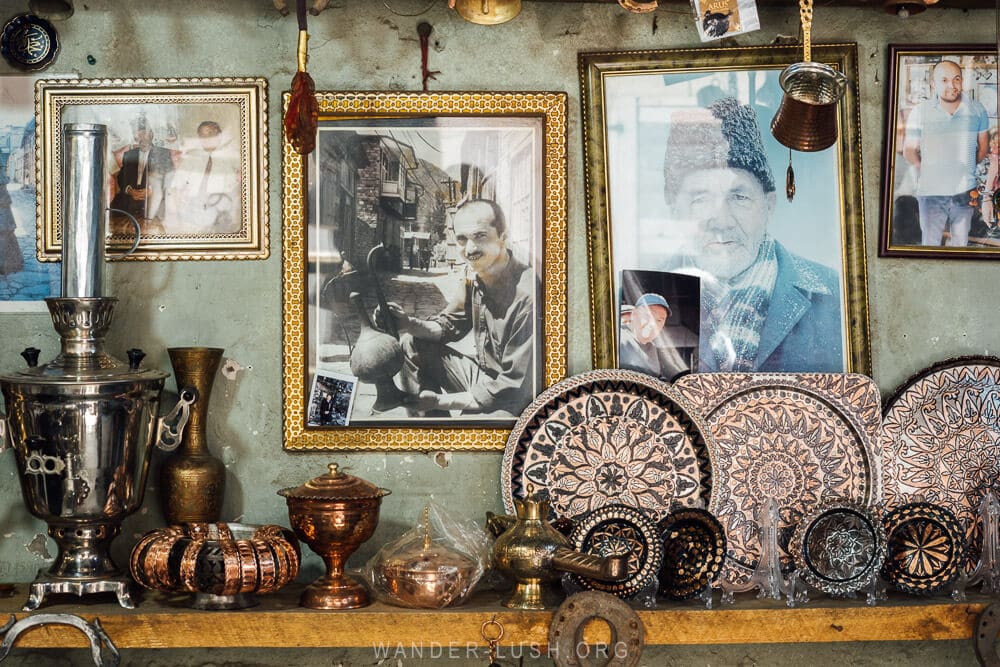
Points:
(659, 317)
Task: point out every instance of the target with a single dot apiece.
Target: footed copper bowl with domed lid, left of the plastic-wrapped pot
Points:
(334, 514)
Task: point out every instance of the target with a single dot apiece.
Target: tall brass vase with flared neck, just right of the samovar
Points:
(192, 481)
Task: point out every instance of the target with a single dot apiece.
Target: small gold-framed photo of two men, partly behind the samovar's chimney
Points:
(186, 157)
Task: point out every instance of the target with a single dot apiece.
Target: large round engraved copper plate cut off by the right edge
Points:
(941, 440)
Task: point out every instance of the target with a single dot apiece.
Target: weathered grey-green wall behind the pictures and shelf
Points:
(921, 311)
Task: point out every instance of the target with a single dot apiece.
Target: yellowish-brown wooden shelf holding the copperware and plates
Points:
(164, 622)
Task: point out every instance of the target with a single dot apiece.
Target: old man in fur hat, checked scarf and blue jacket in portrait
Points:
(764, 308)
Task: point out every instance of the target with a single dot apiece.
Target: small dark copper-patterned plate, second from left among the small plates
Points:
(694, 549)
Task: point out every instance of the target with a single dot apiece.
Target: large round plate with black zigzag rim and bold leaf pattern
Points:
(609, 436)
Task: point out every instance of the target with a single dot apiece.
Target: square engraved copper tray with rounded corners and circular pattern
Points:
(801, 438)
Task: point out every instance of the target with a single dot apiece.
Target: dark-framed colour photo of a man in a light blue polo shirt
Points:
(941, 170)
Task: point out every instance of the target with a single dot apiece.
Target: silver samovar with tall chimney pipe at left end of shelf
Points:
(82, 426)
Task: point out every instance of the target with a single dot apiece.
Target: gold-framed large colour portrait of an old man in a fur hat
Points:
(657, 122)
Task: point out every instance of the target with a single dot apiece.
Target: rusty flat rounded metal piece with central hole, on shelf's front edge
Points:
(566, 637)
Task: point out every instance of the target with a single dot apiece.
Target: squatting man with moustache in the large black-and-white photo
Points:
(497, 307)
